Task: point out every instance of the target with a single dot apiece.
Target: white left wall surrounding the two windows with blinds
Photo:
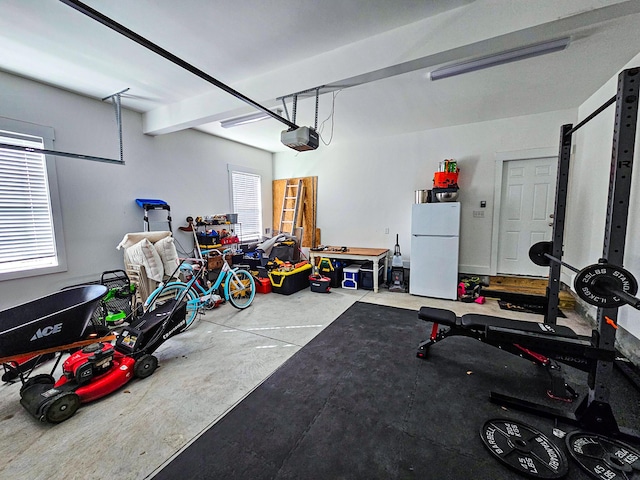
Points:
(186, 169)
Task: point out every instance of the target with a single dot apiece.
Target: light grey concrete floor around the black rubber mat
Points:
(203, 373)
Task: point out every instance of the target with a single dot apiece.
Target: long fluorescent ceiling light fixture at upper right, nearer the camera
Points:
(500, 58)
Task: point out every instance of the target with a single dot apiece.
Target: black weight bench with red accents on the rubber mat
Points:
(539, 342)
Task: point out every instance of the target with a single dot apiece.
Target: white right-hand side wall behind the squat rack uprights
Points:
(588, 190)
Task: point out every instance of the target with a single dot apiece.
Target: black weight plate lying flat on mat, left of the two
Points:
(524, 449)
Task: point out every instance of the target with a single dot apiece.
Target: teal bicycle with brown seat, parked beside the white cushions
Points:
(239, 288)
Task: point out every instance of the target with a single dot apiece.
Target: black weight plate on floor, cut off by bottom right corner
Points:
(602, 457)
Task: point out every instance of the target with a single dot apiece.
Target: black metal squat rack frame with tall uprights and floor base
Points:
(594, 413)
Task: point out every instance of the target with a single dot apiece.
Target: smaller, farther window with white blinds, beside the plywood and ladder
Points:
(247, 203)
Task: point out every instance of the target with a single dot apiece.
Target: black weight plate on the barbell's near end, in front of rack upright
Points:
(594, 285)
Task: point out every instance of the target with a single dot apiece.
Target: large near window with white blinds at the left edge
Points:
(27, 239)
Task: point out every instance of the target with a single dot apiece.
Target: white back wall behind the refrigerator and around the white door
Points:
(365, 187)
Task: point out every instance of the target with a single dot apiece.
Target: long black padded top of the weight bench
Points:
(474, 321)
